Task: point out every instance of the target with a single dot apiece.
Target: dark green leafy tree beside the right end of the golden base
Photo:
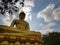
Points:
(51, 39)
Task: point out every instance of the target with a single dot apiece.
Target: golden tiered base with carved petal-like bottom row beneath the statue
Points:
(12, 36)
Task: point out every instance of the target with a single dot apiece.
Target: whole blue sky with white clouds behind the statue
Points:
(42, 15)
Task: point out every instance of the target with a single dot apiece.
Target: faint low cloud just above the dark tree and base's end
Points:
(47, 28)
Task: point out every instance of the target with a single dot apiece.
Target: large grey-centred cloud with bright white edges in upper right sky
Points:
(50, 13)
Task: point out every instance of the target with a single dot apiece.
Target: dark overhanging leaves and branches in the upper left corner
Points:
(9, 6)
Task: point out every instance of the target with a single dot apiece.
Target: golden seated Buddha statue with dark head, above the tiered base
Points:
(21, 24)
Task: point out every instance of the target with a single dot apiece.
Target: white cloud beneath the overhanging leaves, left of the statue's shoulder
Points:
(5, 20)
